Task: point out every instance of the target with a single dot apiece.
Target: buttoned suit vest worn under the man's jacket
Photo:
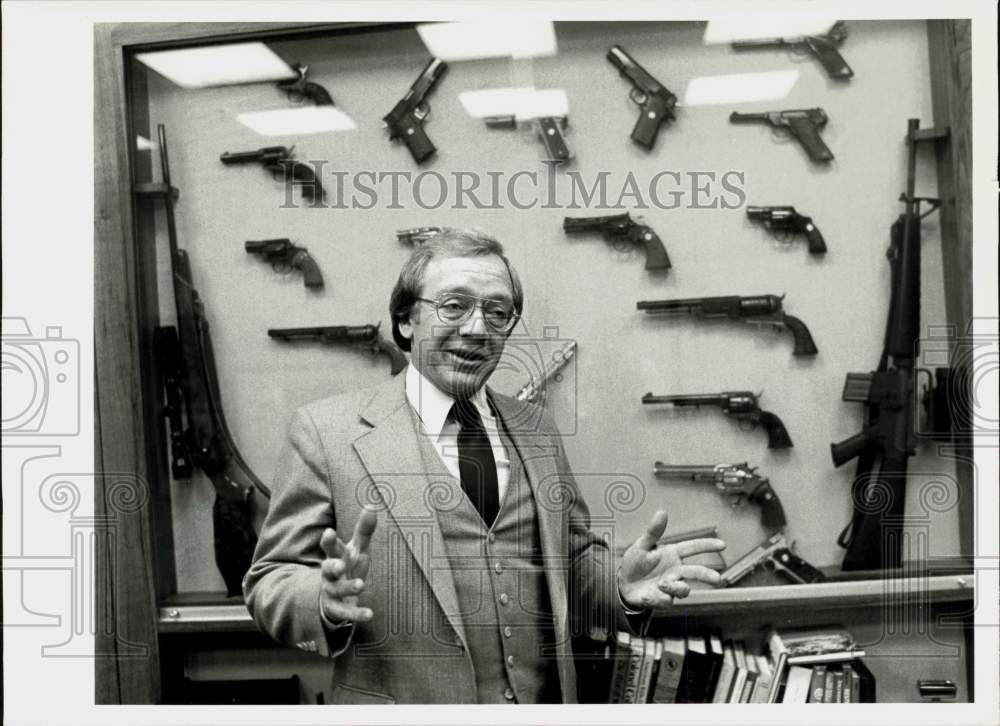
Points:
(500, 583)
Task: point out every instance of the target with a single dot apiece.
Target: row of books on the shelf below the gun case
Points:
(804, 666)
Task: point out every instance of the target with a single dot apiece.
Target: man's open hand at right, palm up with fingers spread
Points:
(653, 576)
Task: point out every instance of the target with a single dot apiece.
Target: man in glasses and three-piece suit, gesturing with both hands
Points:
(471, 564)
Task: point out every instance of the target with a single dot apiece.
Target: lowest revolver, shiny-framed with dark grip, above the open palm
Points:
(740, 482)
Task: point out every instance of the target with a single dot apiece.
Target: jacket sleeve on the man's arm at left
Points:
(282, 586)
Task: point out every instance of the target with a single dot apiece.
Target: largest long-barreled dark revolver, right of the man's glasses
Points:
(756, 310)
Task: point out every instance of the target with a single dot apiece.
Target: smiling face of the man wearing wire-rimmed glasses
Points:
(458, 357)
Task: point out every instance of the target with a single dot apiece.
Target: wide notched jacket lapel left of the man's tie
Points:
(391, 455)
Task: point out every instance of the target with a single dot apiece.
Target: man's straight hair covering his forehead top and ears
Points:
(450, 242)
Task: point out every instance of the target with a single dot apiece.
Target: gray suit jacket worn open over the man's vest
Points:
(362, 448)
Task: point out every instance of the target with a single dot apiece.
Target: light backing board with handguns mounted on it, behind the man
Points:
(733, 205)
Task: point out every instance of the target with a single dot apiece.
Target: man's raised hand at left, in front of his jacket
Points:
(344, 571)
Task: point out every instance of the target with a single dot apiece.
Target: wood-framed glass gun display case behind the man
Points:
(611, 160)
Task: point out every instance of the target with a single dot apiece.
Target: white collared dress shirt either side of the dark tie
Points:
(433, 407)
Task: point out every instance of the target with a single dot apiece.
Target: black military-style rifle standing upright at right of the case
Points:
(873, 538)
